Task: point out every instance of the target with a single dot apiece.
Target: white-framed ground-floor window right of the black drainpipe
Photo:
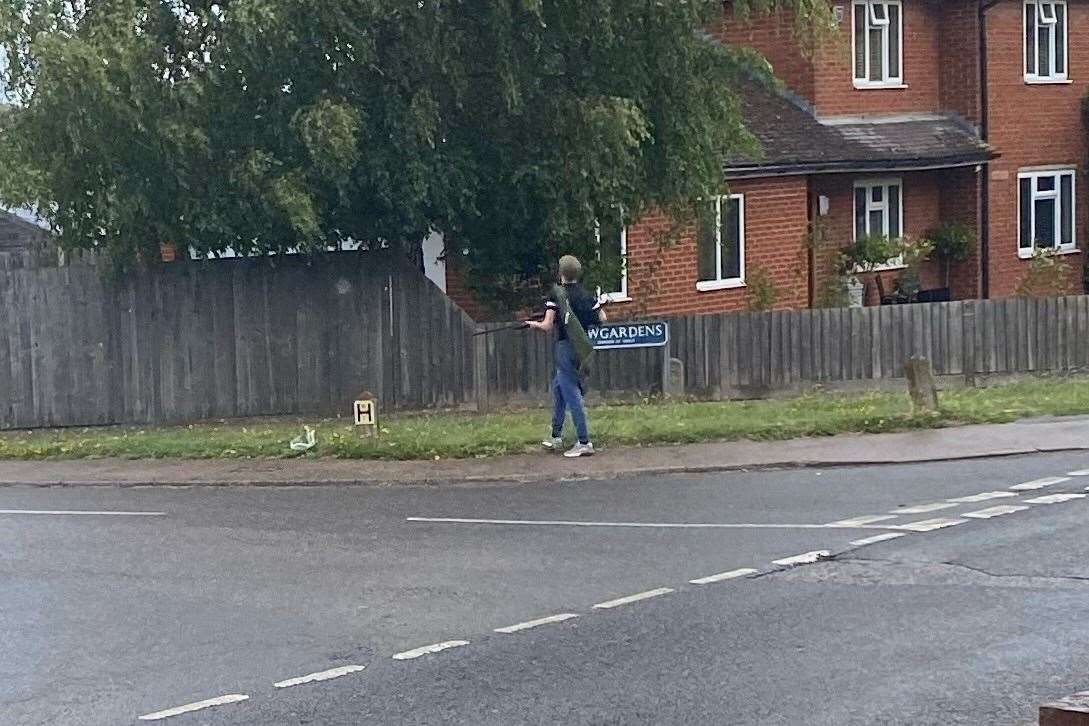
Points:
(1046, 212)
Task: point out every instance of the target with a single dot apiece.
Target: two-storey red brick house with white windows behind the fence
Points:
(929, 112)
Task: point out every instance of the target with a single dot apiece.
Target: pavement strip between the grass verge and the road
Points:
(1027, 437)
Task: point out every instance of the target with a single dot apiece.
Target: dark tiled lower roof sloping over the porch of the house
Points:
(796, 141)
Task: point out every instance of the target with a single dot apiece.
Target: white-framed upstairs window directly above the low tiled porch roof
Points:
(878, 44)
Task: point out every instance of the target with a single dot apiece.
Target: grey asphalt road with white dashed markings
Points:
(207, 593)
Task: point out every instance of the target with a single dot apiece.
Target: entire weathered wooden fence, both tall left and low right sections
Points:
(286, 337)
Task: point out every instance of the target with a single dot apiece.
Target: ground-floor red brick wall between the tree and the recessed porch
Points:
(663, 280)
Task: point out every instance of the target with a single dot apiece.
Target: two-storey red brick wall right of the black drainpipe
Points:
(1032, 126)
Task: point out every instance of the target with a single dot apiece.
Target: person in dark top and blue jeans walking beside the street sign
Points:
(567, 388)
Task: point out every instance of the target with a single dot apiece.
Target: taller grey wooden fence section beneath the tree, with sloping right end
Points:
(228, 338)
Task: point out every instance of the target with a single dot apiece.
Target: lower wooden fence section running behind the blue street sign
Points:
(758, 354)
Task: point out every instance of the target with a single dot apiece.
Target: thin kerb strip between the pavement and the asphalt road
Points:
(542, 476)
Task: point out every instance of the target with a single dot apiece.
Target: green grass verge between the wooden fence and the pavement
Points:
(462, 436)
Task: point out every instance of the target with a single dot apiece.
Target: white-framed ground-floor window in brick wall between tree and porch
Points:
(720, 241)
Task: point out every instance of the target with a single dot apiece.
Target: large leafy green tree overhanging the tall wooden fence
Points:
(262, 126)
